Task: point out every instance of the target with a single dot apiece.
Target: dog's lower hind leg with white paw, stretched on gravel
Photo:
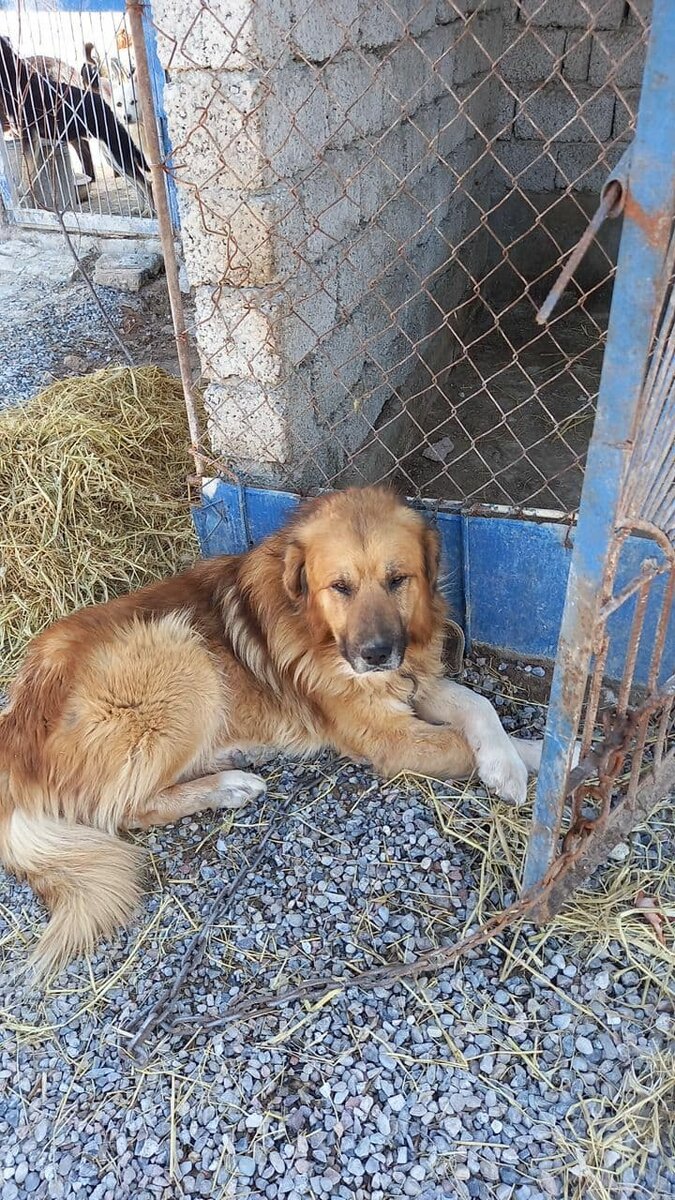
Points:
(225, 790)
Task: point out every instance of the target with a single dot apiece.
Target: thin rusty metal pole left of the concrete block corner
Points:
(135, 10)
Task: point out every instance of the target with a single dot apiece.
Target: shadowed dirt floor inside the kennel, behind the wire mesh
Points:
(509, 423)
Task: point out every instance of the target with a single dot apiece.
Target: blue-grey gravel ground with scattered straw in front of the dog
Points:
(537, 1069)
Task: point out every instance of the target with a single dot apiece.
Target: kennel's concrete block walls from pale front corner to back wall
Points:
(334, 165)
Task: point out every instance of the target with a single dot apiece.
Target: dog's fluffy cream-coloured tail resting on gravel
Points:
(89, 880)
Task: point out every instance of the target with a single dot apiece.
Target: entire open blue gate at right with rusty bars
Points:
(629, 489)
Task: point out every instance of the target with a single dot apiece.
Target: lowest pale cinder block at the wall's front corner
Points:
(248, 422)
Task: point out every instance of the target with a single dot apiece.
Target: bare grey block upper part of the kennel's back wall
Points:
(574, 71)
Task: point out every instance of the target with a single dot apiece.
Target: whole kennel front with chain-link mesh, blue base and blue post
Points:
(378, 214)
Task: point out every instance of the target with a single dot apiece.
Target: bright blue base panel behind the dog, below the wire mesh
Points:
(505, 579)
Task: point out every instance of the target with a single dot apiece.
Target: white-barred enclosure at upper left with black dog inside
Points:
(74, 145)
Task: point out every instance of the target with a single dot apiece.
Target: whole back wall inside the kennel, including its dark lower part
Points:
(571, 73)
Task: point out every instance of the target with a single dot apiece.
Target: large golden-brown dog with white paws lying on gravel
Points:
(124, 716)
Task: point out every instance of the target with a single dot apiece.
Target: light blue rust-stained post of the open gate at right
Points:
(650, 205)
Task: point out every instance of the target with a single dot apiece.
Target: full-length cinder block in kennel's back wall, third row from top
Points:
(553, 113)
